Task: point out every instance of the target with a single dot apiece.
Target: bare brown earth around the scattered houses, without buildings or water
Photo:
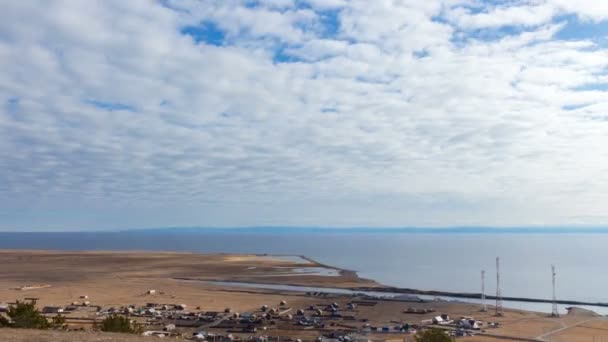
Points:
(119, 279)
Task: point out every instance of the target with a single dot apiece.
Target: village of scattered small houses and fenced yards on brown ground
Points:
(330, 318)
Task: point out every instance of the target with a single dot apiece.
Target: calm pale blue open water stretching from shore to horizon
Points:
(448, 262)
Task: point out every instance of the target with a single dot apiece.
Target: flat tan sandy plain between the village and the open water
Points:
(117, 278)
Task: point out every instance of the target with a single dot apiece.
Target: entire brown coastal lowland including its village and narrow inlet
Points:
(147, 283)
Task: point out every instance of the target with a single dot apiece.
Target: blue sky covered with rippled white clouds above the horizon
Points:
(406, 113)
